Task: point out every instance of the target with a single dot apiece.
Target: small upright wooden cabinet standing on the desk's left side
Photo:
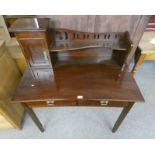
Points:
(33, 34)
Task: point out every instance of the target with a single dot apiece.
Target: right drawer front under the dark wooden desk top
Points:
(102, 103)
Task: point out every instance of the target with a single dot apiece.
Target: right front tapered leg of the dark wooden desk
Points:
(122, 117)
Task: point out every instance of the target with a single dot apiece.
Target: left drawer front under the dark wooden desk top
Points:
(52, 103)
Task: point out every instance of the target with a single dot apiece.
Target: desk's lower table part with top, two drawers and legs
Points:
(77, 85)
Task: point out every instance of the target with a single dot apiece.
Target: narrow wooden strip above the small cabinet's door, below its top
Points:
(22, 35)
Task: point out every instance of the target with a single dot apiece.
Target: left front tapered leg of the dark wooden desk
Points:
(33, 116)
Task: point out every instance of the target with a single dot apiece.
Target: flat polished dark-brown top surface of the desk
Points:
(68, 82)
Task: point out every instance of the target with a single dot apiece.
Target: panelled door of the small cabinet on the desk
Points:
(36, 52)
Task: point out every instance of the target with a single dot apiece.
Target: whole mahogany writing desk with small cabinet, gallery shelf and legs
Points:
(71, 68)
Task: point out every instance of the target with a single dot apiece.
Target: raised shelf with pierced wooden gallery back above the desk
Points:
(68, 40)
